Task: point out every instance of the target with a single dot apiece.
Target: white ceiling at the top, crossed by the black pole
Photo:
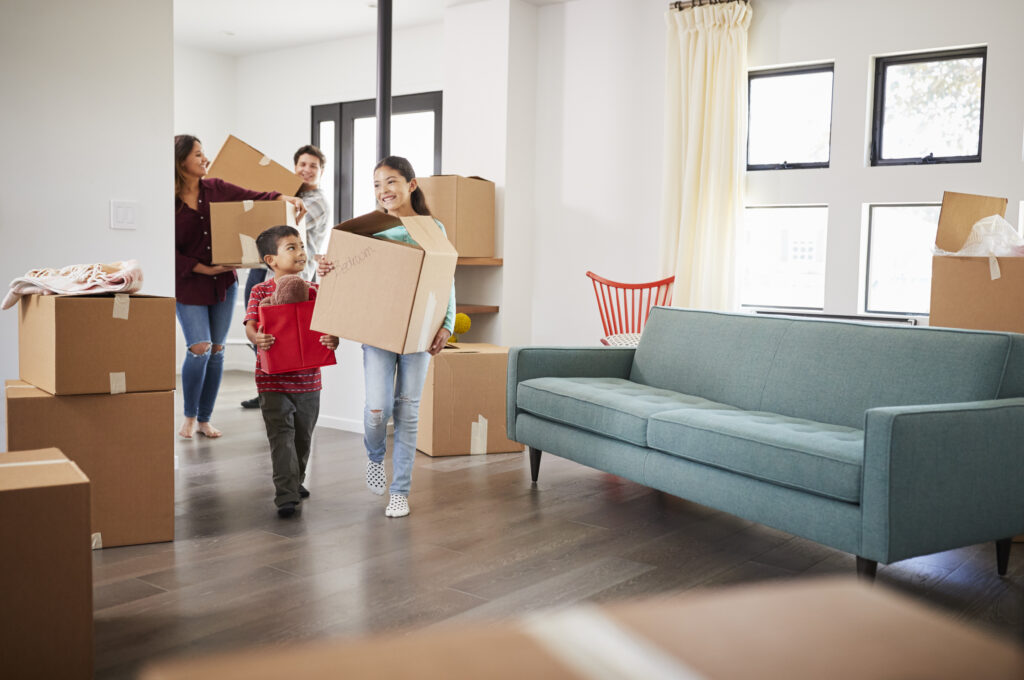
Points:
(244, 27)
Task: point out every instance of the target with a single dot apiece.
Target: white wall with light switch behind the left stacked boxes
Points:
(87, 118)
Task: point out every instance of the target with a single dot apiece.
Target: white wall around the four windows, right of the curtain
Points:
(786, 32)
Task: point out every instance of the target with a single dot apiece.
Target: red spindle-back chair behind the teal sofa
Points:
(625, 308)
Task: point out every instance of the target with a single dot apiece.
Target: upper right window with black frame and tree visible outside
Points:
(928, 108)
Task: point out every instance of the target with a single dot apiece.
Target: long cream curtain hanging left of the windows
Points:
(705, 152)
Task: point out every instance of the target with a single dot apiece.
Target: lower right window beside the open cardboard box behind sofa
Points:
(901, 241)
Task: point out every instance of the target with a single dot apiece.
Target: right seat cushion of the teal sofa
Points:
(801, 454)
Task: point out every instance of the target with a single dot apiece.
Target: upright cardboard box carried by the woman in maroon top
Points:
(235, 226)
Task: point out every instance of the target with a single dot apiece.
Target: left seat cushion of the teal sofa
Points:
(612, 407)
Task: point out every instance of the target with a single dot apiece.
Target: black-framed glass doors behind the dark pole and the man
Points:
(347, 134)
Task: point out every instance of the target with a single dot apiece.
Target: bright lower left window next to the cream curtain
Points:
(783, 258)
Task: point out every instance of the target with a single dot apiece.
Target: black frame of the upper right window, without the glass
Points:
(879, 104)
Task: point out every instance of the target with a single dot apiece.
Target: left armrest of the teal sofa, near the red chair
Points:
(528, 363)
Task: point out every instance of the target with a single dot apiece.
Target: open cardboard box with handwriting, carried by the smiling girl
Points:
(385, 293)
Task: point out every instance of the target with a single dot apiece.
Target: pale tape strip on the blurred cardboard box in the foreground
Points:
(594, 646)
